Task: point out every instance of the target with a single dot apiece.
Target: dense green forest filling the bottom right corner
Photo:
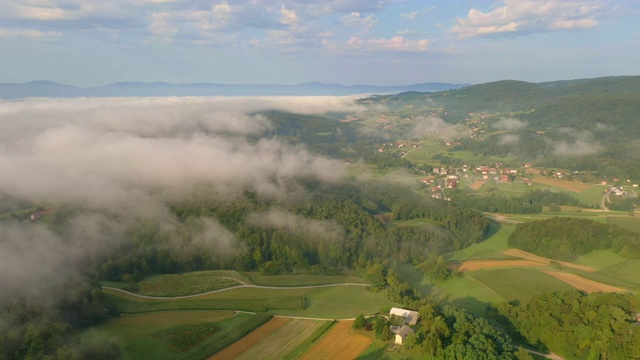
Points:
(577, 326)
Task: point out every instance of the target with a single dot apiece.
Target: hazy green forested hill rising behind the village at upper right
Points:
(587, 124)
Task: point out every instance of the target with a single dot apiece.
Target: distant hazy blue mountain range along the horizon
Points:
(124, 89)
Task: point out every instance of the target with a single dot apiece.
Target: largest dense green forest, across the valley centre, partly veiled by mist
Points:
(353, 237)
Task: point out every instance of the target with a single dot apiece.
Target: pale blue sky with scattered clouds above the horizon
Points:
(382, 42)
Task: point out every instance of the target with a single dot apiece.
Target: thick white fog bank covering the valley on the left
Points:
(119, 161)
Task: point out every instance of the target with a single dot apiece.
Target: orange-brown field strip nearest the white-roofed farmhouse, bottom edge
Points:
(339, 343)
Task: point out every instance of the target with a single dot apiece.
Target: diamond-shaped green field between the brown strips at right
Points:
(519, 283)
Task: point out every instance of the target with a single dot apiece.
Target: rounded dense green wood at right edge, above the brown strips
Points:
(566, 238)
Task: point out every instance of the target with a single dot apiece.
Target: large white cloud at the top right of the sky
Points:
(528, 16)
